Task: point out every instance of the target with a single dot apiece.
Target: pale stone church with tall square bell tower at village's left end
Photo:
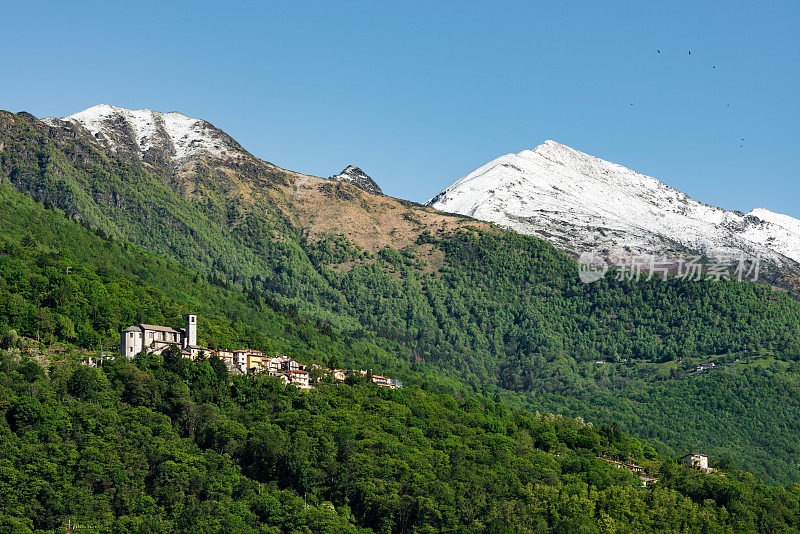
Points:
(155, 339)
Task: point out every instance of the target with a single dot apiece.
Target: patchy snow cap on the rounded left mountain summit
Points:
(172, 135)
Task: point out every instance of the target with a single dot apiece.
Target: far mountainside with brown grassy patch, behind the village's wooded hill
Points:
(442, 293)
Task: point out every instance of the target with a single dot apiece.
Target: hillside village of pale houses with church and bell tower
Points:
(155, 339)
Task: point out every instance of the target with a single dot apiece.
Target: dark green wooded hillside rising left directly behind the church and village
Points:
(62, 282)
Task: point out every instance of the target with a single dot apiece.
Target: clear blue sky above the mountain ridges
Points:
(419, 94)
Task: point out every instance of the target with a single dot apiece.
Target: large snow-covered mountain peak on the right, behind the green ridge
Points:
(582, 203)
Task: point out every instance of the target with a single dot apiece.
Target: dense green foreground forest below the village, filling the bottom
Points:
(164, 444)
